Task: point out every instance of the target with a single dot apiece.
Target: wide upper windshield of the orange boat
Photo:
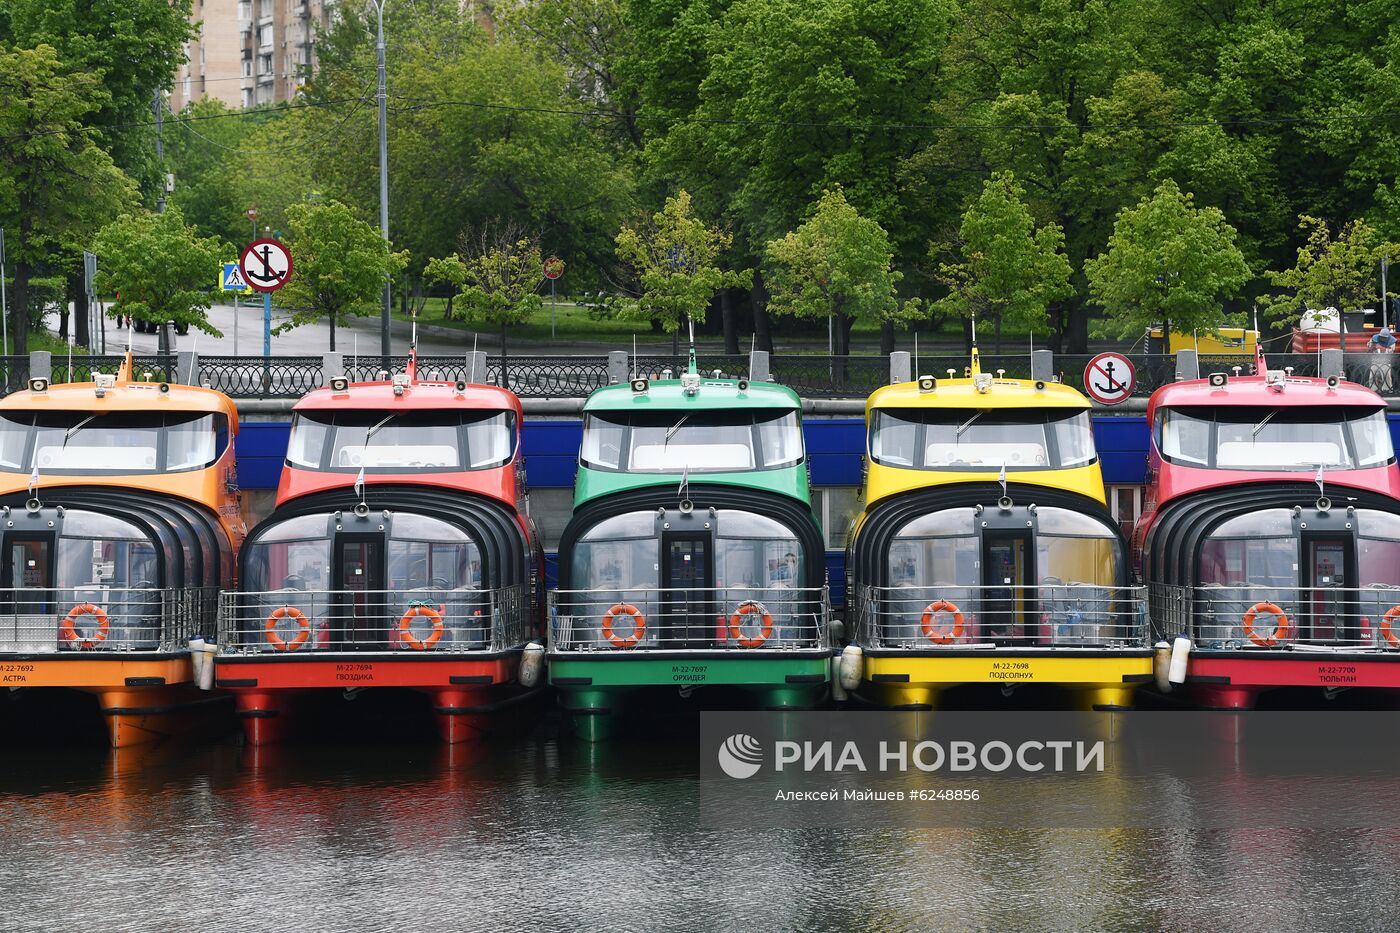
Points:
(79, 442)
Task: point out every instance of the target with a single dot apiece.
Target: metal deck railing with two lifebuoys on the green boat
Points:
(643, 620)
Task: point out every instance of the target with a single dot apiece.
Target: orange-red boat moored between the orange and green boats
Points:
(401, 554)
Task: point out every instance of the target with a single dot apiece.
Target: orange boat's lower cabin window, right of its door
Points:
(97, 550)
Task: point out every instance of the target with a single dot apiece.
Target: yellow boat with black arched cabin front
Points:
(986, 553)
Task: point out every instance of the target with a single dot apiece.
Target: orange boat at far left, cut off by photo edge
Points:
(121, 525)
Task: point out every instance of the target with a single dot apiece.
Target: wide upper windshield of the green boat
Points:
(675, 442)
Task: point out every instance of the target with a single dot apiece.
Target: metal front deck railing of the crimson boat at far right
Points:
(1272, 617)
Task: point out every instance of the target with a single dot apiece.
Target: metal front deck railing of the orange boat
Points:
(101, 620)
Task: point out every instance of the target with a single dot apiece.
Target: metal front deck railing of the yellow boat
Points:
(1051, 616)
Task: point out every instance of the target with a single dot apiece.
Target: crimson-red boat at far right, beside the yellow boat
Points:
(1270, 534)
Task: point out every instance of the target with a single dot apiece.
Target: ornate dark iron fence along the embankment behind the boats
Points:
(817, 376)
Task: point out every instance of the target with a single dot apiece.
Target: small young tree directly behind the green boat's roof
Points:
(675, 258)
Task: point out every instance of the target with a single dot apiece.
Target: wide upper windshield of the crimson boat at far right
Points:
(1275, 439)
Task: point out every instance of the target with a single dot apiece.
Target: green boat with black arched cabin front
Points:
(692, 564)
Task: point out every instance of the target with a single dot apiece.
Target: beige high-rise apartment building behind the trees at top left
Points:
(251, 53)
